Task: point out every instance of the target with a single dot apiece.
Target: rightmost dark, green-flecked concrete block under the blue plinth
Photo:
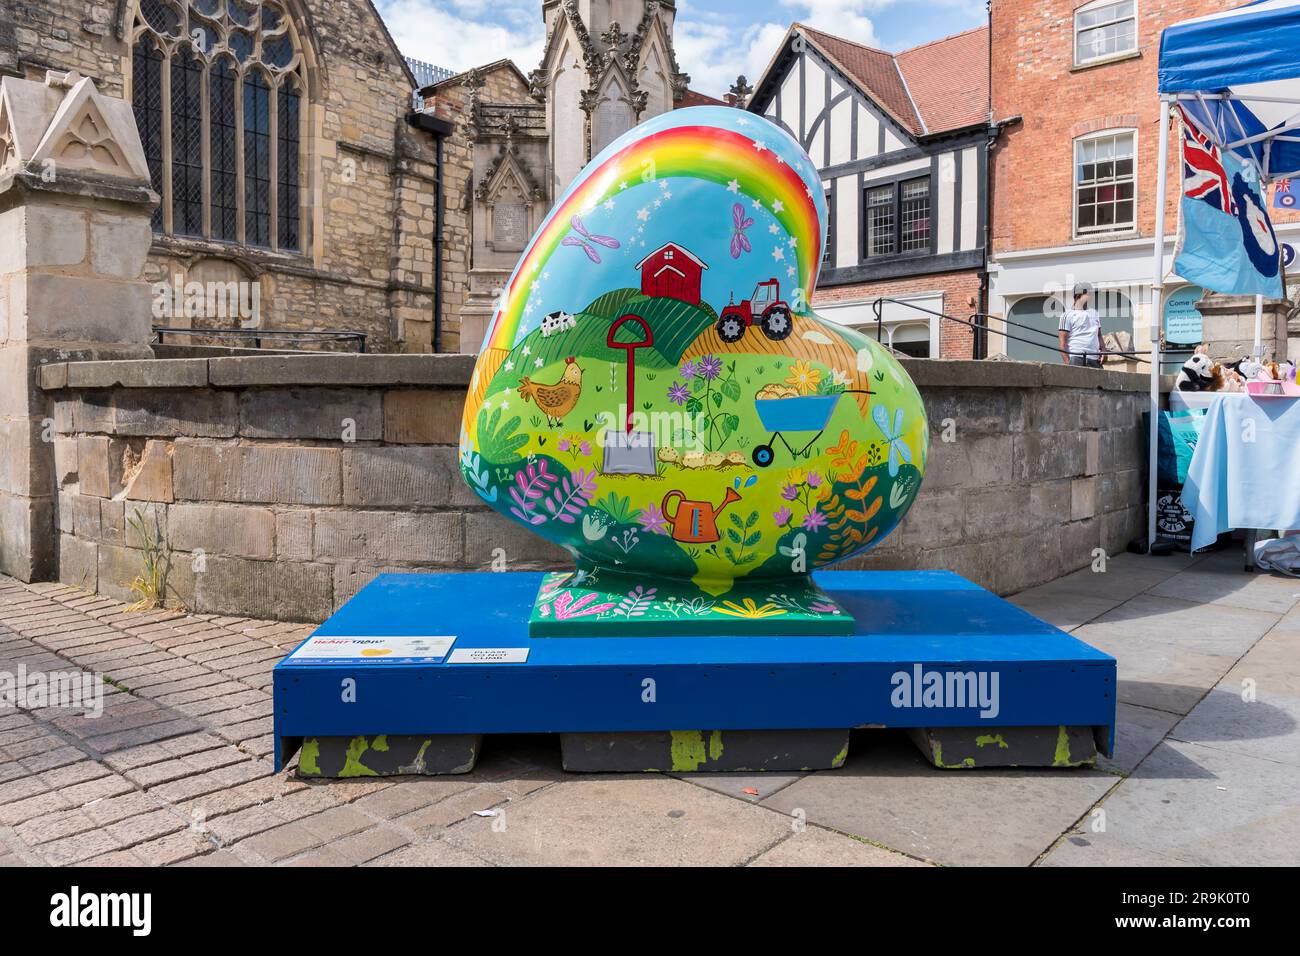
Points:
(964, 749)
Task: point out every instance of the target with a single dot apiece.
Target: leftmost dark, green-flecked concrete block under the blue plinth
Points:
(391, 755)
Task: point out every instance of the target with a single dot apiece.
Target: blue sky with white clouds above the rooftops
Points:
(716, 40)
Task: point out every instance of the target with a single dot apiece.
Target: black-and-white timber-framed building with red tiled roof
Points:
(902, 141)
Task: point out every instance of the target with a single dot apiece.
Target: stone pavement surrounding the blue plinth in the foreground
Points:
(177, 769)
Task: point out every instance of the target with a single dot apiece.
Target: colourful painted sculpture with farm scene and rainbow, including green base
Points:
(657, 396)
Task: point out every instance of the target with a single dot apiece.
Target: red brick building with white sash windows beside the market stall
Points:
(1073, 178)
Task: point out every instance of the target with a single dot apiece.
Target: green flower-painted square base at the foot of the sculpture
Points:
(601, 602)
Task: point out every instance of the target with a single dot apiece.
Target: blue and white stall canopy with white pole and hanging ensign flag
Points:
(1233, 80)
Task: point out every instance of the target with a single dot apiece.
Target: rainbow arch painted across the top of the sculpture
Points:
(700, 153)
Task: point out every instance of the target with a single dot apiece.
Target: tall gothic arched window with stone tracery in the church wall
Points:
(218, 88)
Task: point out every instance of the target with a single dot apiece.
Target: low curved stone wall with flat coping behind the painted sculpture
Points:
(281, 485)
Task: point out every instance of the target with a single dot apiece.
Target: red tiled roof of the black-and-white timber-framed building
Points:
(935, 88)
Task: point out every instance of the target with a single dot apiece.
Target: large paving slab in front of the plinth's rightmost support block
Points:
(890, 795)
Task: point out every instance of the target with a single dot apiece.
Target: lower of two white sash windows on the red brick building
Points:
(1106, 183)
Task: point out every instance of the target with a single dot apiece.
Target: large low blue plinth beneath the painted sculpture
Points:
(926, 643)
